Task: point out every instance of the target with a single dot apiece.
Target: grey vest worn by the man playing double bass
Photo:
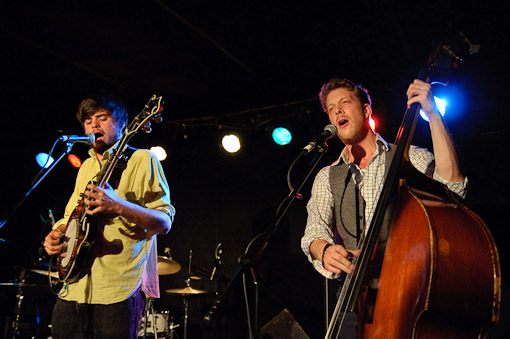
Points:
(349, 206)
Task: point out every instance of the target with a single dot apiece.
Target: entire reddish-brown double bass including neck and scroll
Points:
(433, 271)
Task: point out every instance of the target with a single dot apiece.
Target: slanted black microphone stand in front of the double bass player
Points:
(252, 255)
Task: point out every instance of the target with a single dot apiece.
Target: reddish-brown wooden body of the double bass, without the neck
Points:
(440, 276)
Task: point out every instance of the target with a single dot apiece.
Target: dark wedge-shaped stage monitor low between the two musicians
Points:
(283, 326)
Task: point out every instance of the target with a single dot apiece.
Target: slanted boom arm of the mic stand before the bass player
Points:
(247, 261)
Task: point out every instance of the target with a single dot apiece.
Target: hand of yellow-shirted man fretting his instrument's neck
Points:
(102, 200)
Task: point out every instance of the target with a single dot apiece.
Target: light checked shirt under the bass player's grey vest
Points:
(370, 181)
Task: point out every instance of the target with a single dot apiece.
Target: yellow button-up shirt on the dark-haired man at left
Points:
(123, 255)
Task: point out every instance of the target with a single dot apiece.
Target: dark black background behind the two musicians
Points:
(243, 67)
